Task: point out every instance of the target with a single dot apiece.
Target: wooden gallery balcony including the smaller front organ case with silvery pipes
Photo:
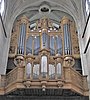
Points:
(59, 74)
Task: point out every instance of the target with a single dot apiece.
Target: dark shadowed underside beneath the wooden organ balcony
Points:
(39, 94)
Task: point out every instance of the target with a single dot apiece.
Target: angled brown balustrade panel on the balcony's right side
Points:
(70, 75)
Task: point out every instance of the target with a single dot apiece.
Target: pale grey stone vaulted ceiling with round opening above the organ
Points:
(35, 9)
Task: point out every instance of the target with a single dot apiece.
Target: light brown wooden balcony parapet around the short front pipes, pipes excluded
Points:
(70, 79)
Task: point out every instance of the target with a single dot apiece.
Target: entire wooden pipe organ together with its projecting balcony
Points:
(45, 56)
